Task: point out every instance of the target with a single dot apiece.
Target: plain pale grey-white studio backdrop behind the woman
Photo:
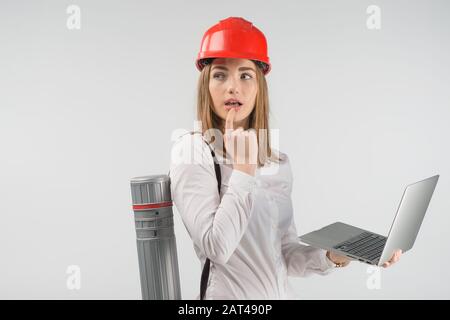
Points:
(361, 113)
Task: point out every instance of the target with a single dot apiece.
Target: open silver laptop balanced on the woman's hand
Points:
(372, 248)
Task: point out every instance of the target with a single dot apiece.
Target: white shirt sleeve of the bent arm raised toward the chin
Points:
(215, 225)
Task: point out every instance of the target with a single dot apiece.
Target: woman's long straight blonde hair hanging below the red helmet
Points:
(258, 118)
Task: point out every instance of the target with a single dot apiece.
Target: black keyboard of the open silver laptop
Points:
(365, 245)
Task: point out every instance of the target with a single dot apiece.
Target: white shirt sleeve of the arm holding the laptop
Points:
(301, 260)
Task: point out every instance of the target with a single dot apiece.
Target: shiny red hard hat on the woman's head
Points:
(234, 38)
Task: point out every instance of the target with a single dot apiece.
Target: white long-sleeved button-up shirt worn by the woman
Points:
(248, 232)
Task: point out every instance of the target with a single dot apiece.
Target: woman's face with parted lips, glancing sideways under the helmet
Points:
(233, 84)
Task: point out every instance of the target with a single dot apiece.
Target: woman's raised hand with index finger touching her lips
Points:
(241, 145)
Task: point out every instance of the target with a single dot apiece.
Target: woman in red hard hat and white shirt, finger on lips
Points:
(247, 232)
